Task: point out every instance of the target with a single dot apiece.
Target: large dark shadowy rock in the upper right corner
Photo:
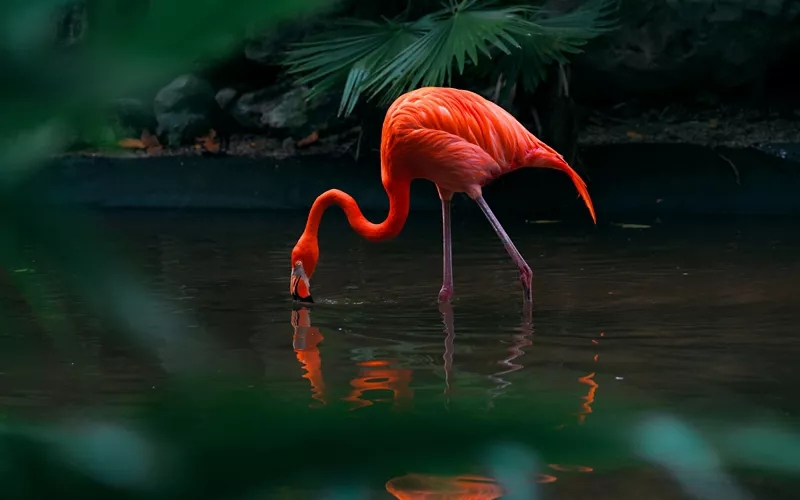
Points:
(686, 45)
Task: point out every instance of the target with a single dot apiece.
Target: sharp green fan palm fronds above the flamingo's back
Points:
(394, 56)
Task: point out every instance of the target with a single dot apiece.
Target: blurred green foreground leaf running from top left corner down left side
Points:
(49, 92)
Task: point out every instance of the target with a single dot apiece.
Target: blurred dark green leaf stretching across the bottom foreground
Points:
(210, 439)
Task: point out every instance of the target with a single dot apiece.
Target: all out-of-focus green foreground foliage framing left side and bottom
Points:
(201, 437)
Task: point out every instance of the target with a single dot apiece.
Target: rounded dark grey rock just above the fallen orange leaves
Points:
(184, 109)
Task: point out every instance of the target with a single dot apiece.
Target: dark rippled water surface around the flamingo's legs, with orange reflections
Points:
(699, 315)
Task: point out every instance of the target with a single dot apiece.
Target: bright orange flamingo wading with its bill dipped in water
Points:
(459, 141)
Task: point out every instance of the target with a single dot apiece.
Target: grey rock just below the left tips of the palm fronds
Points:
(272, 109)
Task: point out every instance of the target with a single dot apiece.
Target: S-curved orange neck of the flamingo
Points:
(399, 199)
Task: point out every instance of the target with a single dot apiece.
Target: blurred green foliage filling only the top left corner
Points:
(123, 50)
